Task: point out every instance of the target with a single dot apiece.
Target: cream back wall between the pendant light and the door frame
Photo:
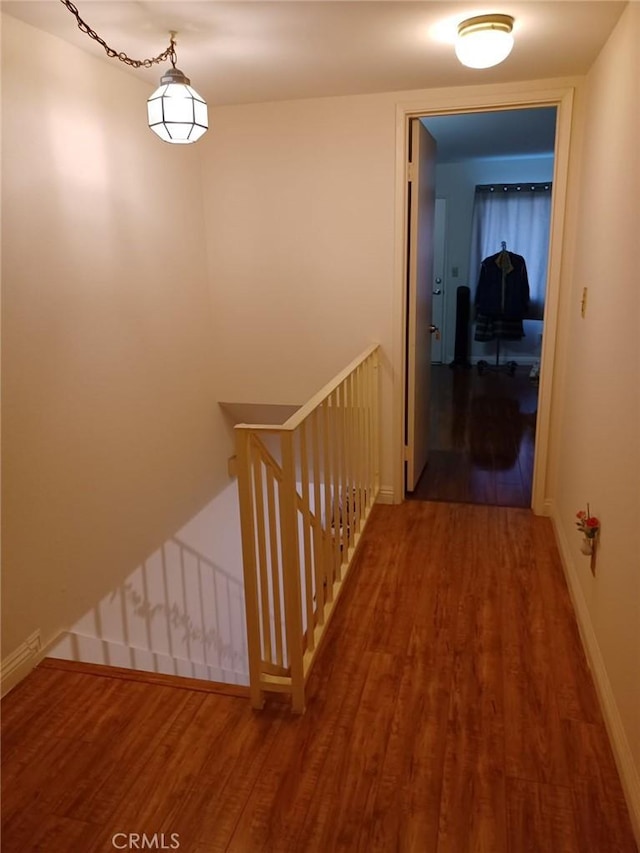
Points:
(299, 207)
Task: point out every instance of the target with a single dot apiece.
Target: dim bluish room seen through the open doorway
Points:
(483, 401)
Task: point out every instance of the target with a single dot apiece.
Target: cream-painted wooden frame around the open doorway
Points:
(441, 103)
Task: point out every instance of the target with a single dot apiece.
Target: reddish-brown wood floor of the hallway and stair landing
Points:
(451, 710)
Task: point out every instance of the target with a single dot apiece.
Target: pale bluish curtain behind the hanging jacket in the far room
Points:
(520, 216)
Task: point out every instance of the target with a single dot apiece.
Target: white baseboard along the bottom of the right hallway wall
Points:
(629, 773)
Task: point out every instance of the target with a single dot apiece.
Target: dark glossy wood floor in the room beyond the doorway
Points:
(482, 437)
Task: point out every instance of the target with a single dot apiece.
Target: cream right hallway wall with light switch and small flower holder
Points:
(596, 416)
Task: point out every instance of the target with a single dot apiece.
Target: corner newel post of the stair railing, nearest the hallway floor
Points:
(291, 570)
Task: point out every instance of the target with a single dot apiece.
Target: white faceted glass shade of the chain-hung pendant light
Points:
(176, 112)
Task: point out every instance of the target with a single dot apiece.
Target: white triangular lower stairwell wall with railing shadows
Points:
(181, 612)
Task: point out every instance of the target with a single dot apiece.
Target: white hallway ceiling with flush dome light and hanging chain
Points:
(242, 52)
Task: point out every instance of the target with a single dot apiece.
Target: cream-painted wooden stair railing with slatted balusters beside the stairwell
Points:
(306, 489)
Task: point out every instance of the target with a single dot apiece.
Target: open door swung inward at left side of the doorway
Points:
(421, 191)
